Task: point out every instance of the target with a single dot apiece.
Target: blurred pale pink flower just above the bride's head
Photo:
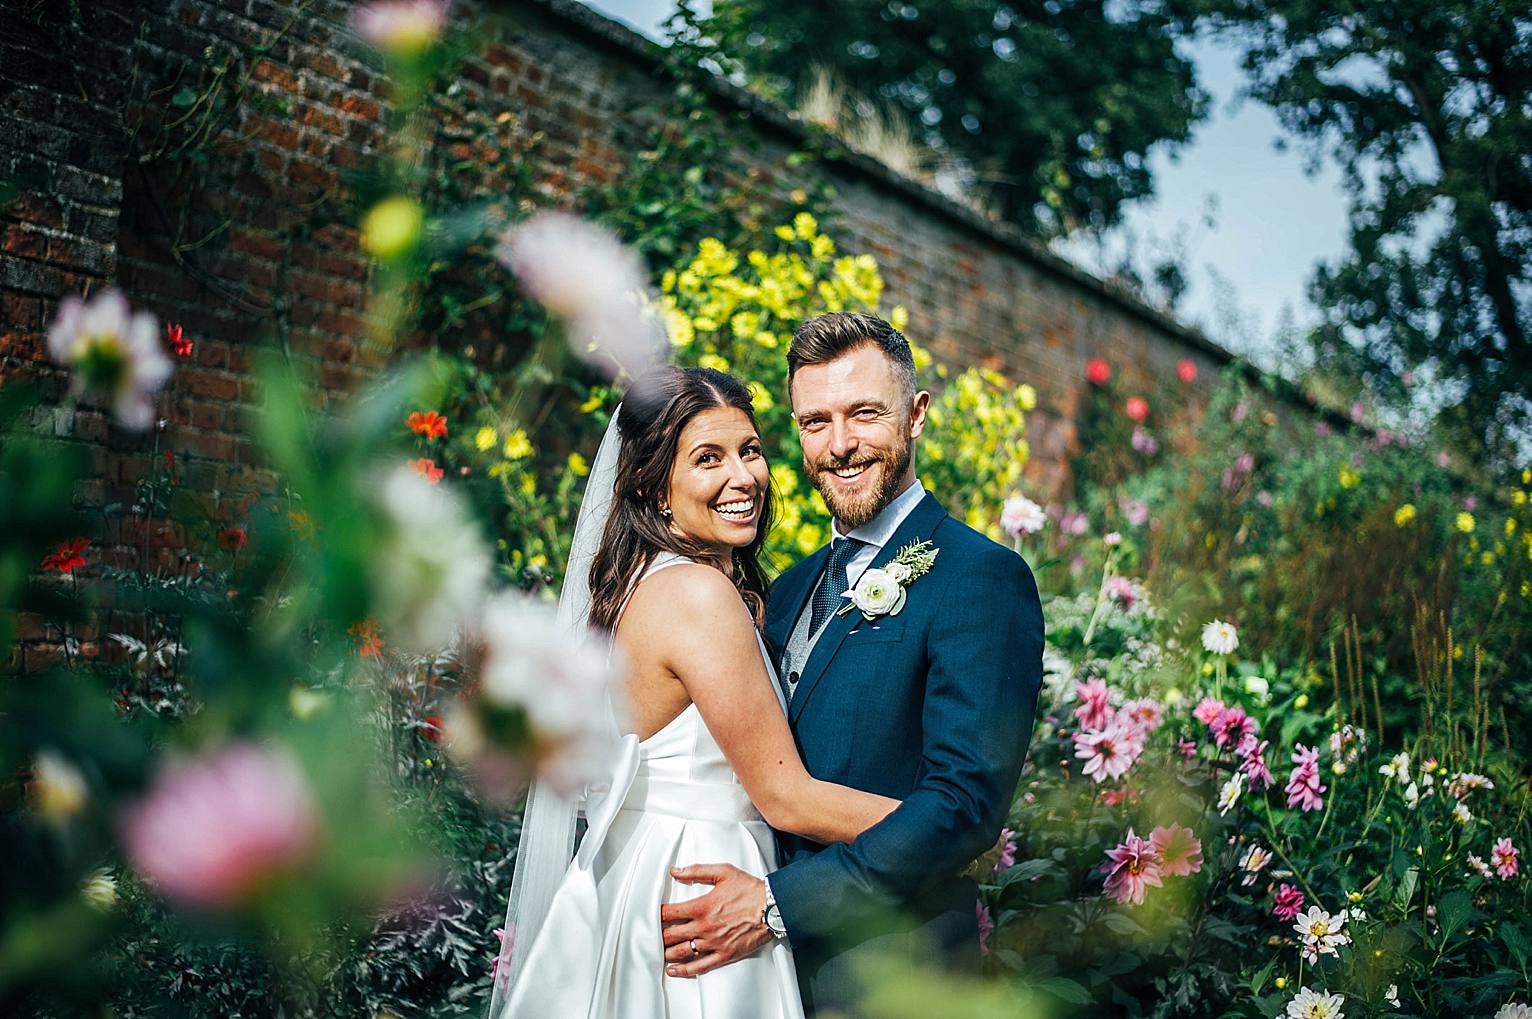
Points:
(586, 277)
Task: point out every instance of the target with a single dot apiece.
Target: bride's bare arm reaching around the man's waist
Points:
(705, 637)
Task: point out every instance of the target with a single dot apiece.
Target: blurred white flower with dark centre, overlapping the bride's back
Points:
(543, 696)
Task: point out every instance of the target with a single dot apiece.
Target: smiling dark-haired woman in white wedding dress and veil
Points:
(681, 499)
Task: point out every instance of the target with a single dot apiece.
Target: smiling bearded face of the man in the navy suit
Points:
(859, 425)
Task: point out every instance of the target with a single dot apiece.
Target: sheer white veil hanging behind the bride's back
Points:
(549, 822)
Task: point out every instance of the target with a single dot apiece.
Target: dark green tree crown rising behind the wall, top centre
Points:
(1053, 142)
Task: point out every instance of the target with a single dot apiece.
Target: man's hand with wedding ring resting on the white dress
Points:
(725, 923)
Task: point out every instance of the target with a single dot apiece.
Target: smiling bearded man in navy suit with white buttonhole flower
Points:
(931, 704)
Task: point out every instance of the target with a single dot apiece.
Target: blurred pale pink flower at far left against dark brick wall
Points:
(113, 352)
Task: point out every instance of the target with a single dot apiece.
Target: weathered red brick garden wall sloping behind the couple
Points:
(102, 102)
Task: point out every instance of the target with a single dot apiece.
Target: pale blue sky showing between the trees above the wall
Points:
(1272, 223)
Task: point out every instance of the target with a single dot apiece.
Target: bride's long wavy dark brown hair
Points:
(655, 411)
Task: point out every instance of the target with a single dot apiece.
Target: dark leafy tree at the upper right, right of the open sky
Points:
(1424, 106)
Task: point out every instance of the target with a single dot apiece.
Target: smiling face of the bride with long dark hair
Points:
(718, 485)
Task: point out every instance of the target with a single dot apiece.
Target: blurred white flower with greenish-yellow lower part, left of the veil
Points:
(430, 571)
